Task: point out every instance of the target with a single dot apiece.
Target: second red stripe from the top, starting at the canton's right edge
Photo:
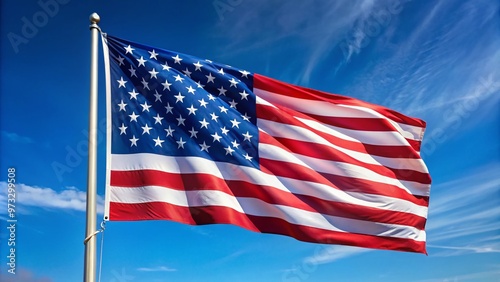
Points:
(402, 151)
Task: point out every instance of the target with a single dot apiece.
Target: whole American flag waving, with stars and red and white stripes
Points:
(198, 142)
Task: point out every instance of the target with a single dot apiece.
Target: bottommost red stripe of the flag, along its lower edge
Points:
(223, 215)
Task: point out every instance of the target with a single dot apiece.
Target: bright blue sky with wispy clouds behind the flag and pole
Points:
(435, 60)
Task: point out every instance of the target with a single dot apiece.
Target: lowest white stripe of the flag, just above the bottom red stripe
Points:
(256, 207)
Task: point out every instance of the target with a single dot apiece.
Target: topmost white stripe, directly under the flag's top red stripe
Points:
(335, 110)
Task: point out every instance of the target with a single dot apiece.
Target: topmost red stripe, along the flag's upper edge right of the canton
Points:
(279, 87)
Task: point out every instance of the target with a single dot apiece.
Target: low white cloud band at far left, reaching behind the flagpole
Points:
(69, 198)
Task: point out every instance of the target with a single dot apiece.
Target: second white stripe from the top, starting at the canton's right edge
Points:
(298, 133)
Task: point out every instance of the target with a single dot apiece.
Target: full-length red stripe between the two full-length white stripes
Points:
(271, 195)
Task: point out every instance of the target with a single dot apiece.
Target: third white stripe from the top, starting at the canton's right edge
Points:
(272, 152)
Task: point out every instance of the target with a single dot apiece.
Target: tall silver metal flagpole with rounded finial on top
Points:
(90, 241)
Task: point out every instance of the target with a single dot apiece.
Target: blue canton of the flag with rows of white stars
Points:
(178, 105)
